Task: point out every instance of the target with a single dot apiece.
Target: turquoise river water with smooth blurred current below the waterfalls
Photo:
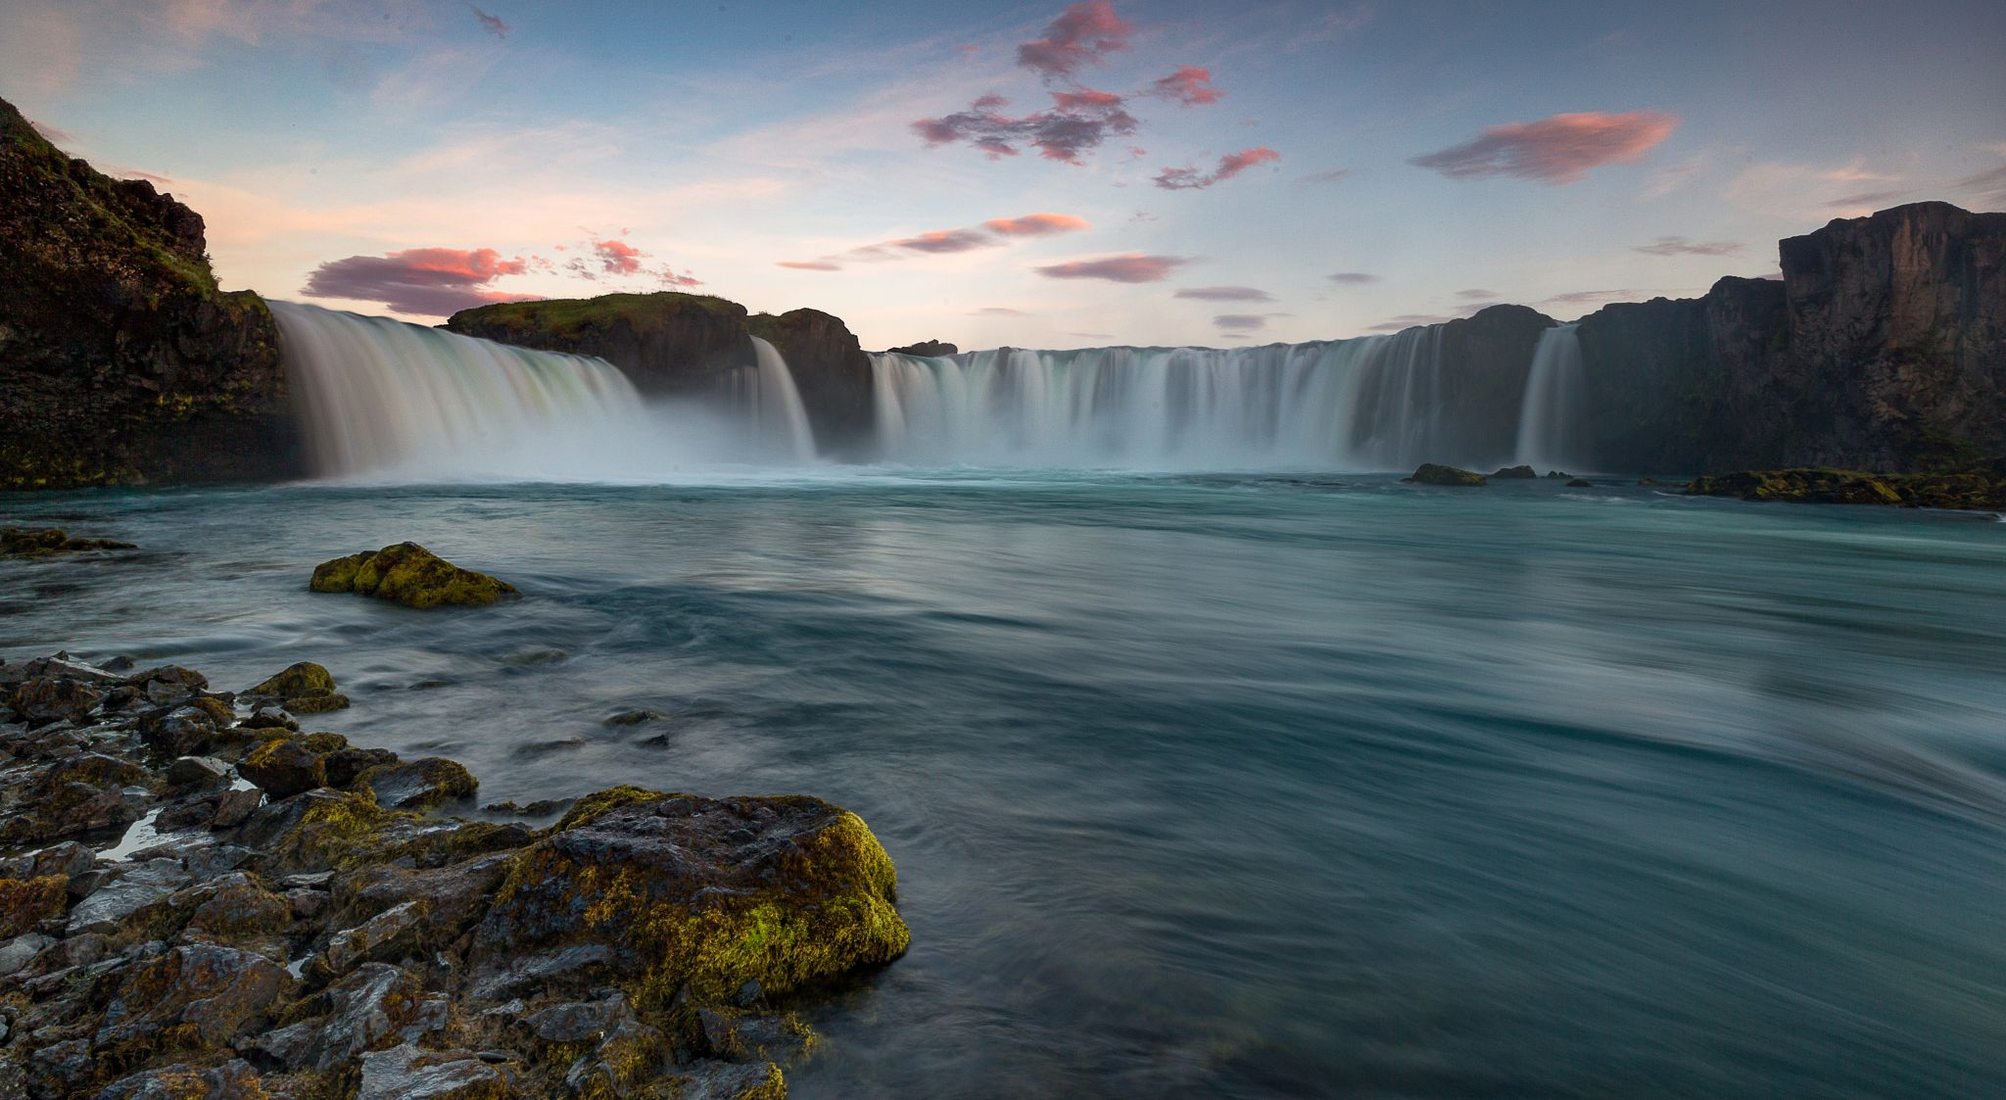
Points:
(1223, 786)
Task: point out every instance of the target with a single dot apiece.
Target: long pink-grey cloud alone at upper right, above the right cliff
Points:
(1560, 150)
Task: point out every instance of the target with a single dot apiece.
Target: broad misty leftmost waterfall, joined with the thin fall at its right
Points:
(388, 400)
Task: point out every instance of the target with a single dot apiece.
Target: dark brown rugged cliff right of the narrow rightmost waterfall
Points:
(1885, 348)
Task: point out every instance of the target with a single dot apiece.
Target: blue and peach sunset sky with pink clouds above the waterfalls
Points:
(1036, 176)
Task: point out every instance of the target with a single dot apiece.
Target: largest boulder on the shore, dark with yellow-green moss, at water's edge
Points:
(725, 898)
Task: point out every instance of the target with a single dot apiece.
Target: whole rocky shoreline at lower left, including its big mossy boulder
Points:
(204, 898)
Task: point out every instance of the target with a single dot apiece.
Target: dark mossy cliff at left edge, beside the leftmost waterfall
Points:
(119, 356)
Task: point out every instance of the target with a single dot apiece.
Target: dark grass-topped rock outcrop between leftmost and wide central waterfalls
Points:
(685, 344)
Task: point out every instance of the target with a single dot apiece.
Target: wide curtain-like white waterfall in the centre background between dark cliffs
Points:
(1379, 402)
